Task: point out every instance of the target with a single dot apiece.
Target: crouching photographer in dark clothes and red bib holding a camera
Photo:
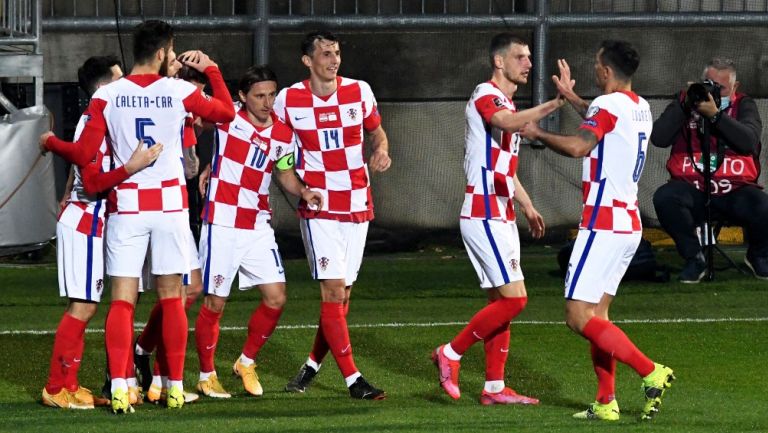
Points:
(735, 127)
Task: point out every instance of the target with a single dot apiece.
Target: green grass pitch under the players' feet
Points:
(714, 335)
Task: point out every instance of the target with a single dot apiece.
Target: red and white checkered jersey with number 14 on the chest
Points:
(329, 136)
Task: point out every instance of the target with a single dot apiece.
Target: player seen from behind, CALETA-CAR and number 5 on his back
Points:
(151, 205)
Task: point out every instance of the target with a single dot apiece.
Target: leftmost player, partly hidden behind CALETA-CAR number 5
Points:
(80, 252)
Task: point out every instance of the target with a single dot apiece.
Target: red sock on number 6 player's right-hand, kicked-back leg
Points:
(612, 340)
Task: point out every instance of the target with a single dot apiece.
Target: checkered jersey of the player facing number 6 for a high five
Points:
(490, 157)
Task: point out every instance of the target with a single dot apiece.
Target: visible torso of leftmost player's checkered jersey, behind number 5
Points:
(84, 212)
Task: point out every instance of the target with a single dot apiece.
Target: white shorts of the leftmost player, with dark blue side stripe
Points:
(80, 261)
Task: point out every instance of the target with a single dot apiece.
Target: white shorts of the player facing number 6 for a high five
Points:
(494, 250)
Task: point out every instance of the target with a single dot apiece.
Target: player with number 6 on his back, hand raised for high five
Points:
(612, 140)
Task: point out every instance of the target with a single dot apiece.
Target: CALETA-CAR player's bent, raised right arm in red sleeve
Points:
(218, 109)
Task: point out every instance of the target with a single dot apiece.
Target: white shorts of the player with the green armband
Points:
(252, 254)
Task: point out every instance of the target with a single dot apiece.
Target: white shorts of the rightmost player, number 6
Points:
(597, 264)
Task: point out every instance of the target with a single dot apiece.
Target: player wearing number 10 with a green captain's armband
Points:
(236, 236)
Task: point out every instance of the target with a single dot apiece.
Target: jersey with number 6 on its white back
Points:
(622, 122)
